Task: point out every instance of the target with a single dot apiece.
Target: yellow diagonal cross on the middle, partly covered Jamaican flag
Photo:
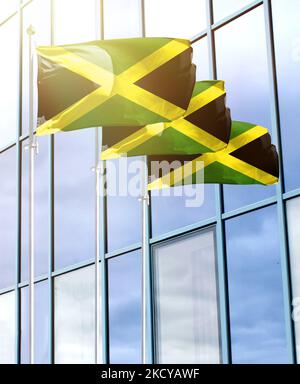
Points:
(181, 125)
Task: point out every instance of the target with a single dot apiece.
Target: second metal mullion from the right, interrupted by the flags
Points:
(220, 230)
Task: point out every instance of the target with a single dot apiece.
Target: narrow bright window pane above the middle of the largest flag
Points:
(117, 14)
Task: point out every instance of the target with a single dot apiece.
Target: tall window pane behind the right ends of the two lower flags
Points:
(245, 71)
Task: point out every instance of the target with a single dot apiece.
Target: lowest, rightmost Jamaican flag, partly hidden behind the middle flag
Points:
(250, 158)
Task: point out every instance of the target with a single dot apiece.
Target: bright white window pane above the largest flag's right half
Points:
(175, 18)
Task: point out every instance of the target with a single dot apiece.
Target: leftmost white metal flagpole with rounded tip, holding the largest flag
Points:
(32, 150)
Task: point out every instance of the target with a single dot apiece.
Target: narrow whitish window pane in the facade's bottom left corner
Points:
(7, 328)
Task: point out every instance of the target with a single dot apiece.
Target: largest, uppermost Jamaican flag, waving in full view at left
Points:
(114, 82)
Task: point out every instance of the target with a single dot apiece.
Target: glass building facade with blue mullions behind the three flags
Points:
(225, 277)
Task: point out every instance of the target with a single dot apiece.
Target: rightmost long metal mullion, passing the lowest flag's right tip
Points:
(281, 208)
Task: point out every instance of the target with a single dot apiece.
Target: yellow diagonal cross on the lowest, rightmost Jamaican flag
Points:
(224, 157)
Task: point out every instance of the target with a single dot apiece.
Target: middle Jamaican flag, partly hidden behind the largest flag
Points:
(205, 127)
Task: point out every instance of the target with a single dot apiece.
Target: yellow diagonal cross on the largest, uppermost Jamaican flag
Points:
(111, 84)
